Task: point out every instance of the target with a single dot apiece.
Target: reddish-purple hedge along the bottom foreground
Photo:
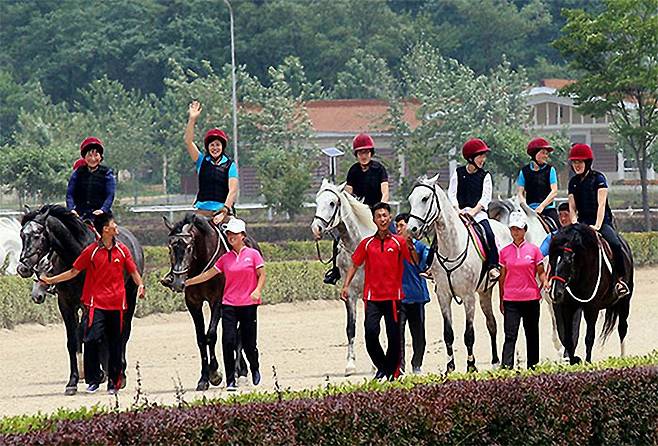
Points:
(612, 406)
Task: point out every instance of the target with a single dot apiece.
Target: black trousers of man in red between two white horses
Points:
(389, 362)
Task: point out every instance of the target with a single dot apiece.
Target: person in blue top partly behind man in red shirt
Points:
(416, 296)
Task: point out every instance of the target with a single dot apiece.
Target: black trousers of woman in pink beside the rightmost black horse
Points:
(515, 312)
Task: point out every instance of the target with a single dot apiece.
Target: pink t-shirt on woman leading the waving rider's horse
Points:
(241, 278)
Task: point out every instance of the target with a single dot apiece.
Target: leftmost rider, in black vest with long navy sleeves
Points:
(91, 188)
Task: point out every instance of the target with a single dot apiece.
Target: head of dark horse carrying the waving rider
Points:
(181, 243)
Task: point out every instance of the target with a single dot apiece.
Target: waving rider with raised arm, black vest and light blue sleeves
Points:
(217, 173)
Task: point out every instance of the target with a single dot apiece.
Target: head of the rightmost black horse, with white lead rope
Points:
(565, 246)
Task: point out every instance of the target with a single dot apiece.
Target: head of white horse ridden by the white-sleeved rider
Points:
(425, 206)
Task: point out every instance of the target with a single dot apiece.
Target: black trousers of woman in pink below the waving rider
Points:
(246, 318)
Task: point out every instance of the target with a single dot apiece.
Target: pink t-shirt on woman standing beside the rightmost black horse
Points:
(521, 265)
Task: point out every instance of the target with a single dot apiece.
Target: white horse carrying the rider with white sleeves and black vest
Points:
(457, 268)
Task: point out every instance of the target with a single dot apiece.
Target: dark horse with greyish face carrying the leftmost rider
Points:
(59, 235)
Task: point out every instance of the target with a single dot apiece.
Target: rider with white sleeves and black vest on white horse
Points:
(470, 193)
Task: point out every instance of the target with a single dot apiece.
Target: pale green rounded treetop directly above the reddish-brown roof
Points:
(365, 76)
